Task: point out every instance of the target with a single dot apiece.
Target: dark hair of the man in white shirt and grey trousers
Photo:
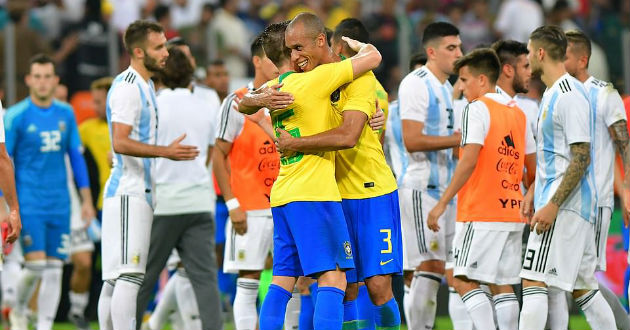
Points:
(178, 71)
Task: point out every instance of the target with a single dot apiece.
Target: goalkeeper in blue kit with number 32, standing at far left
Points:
(40, 131)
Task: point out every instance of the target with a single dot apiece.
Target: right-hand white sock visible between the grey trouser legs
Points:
(186, 301)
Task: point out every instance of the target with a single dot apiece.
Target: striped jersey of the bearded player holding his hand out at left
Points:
(131, 101)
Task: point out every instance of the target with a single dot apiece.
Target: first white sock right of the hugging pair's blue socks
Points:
(423, 300)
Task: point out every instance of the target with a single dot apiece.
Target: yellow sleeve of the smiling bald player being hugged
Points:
(361, 95)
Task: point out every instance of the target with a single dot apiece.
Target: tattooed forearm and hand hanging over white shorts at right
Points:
(580, 159)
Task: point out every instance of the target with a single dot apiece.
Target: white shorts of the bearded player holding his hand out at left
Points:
(126, 234)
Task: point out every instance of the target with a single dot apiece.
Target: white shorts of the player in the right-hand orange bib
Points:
(488, 252)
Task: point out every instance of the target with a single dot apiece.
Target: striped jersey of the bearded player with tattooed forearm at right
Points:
(565, 118)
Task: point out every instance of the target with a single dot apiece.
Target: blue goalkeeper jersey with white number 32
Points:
(38, 140)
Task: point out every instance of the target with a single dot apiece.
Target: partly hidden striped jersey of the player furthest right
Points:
(608, 109)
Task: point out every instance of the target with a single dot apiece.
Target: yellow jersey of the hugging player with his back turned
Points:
(308, 177)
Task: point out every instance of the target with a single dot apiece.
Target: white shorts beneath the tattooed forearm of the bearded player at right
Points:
(563, 257)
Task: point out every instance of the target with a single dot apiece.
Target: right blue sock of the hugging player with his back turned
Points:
(328, 309)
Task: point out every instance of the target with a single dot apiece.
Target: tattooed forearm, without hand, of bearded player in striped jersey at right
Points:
(580, 159)
